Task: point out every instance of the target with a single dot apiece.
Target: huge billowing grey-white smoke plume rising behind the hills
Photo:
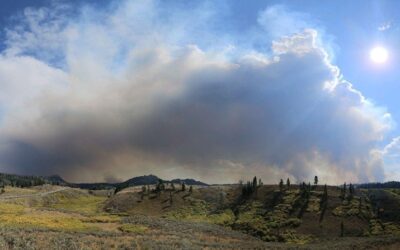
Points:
(123, 94)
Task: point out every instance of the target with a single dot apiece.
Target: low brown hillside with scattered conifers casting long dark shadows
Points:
(297, 214)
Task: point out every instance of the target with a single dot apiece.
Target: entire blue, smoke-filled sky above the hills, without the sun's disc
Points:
(219, 91)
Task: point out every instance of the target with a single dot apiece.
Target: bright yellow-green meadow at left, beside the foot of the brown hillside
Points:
(67, 210)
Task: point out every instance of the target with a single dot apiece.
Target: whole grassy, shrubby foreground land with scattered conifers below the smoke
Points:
(212, 217)
